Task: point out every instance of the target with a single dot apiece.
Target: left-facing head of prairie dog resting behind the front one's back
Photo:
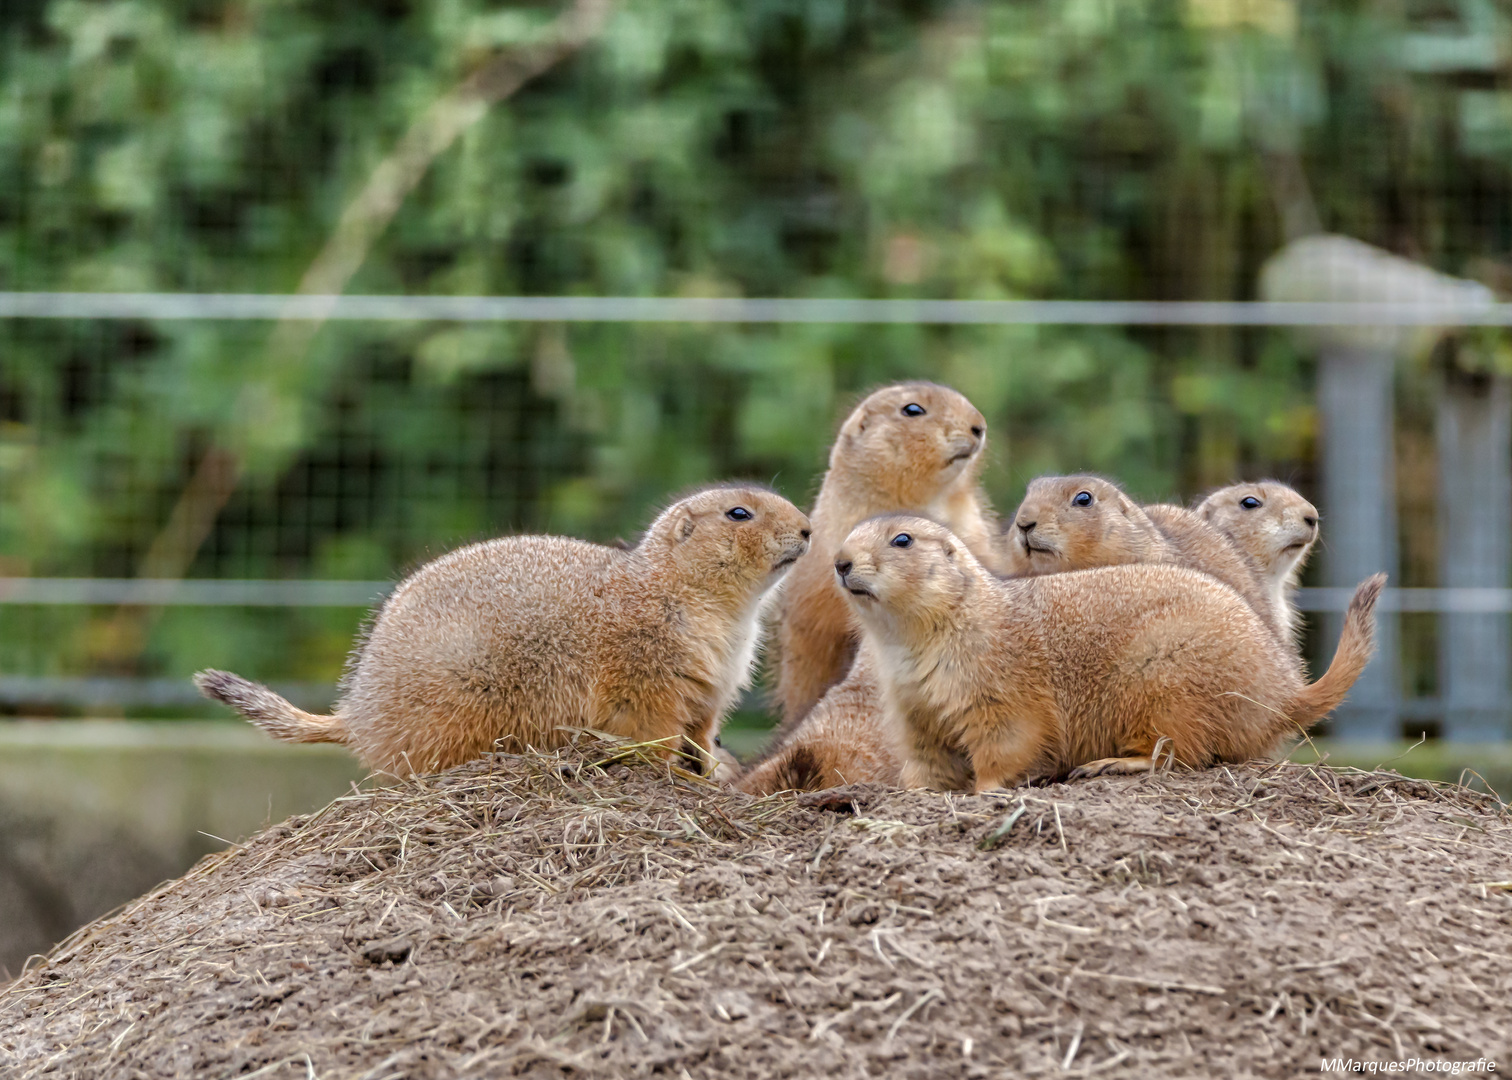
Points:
(1077, 524)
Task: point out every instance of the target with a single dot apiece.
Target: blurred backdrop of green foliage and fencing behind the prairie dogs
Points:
(160, 157)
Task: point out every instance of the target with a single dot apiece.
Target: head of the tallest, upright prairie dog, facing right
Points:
(906, 445)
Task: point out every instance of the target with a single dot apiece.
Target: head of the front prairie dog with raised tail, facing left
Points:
(902, 571)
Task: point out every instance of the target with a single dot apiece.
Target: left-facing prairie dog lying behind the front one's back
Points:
(1085, 523)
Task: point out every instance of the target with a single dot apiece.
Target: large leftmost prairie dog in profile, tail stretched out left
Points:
(507, 642)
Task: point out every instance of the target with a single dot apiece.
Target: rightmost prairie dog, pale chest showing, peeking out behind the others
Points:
(1275, 530)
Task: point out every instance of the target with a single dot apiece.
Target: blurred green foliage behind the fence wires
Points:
(1068, 149)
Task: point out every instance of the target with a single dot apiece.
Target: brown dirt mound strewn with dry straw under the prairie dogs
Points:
(542, 916)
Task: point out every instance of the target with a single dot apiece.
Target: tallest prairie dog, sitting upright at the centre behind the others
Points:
(909, 447)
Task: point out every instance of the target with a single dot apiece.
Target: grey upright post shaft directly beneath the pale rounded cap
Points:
(1360, 518)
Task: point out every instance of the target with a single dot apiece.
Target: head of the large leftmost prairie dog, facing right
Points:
(731, 541)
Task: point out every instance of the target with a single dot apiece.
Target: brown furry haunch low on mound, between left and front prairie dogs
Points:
(841, 740)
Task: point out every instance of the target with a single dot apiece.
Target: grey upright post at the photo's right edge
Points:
(1475, 492)
